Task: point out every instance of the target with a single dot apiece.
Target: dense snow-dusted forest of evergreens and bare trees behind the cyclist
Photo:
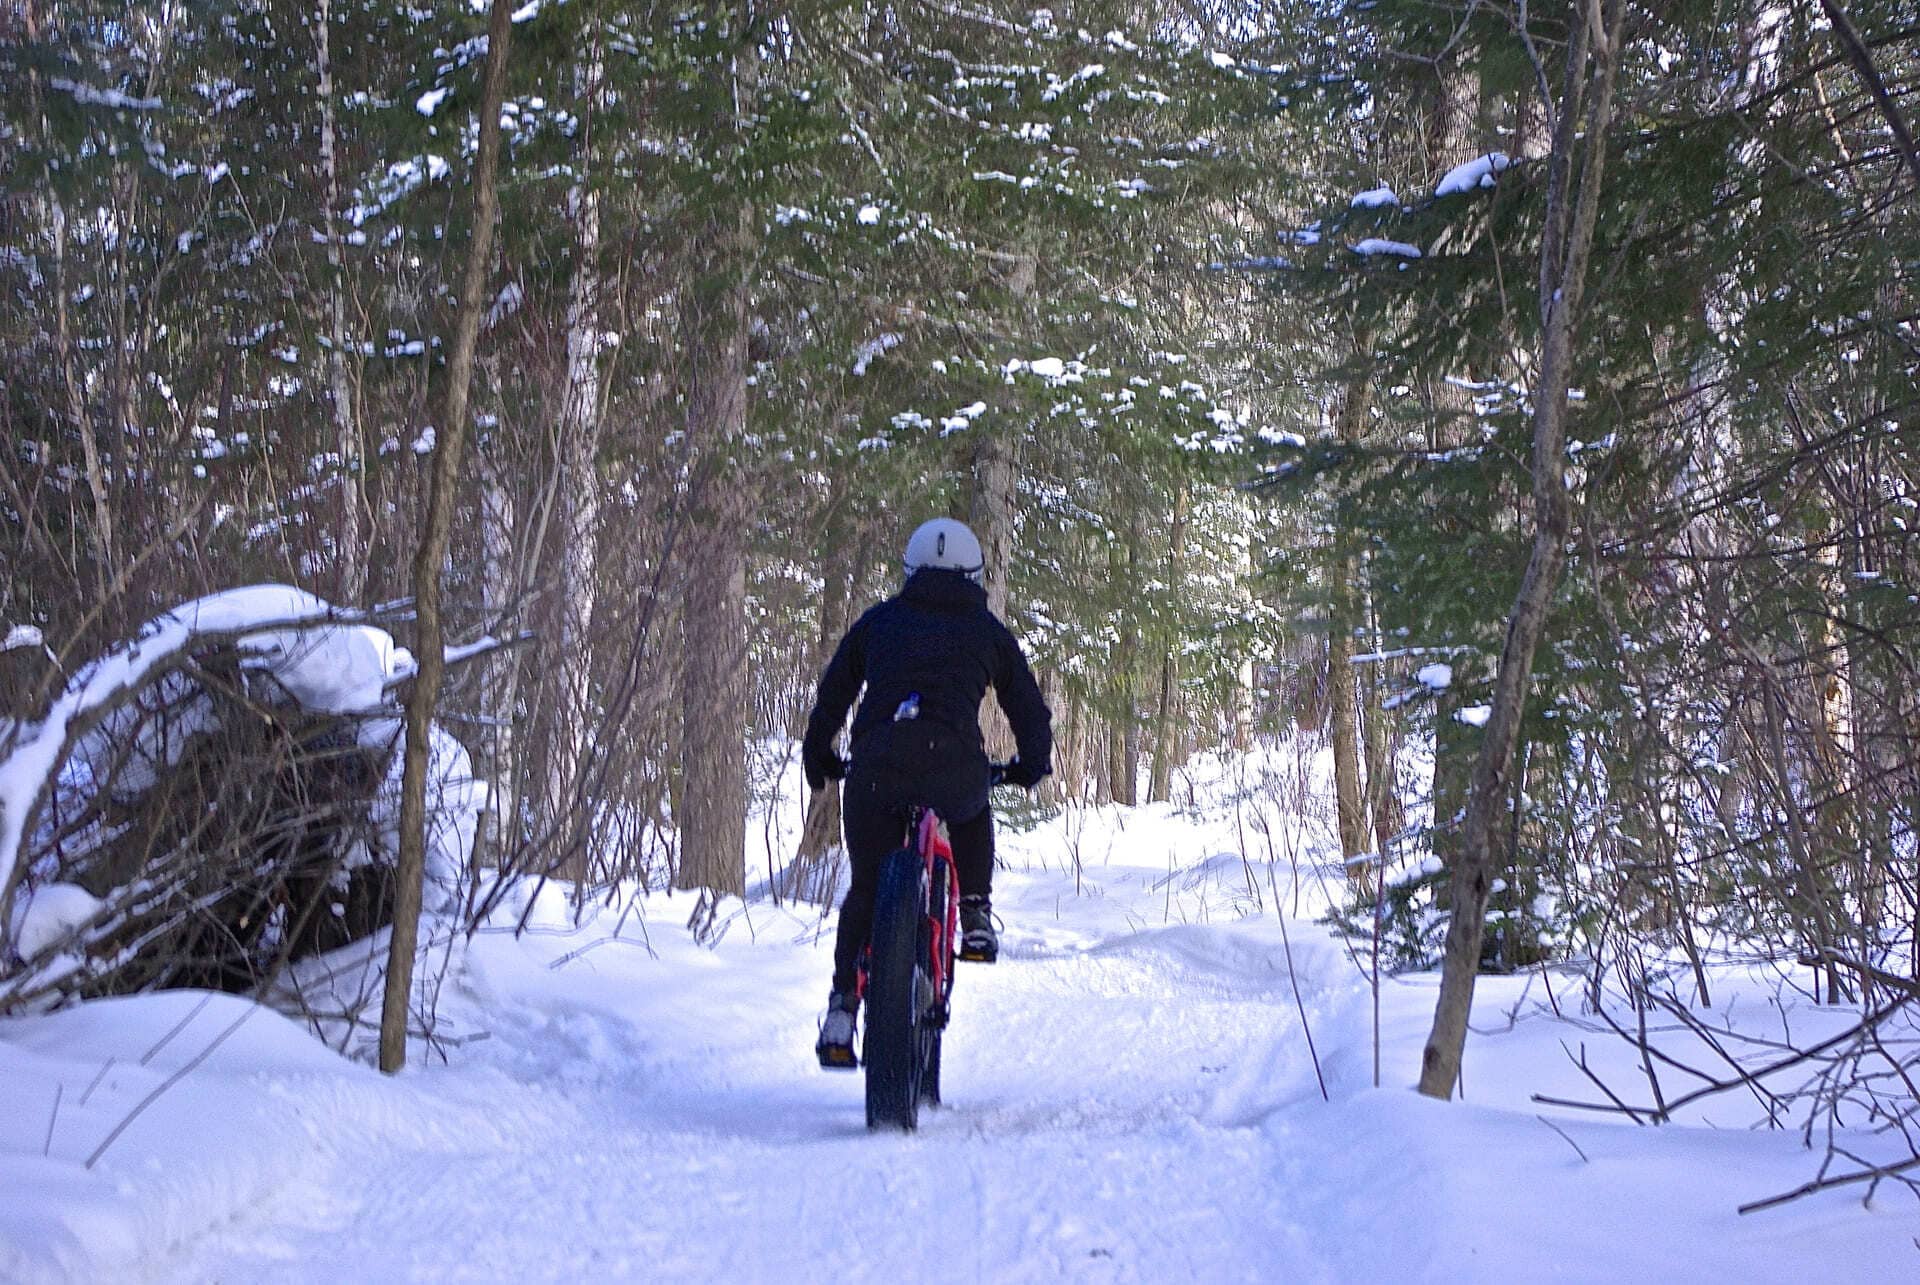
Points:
(1522, 399)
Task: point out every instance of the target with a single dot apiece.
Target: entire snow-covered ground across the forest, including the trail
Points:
(1132, 1098)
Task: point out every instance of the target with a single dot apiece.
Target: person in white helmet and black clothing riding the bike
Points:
(926, 658)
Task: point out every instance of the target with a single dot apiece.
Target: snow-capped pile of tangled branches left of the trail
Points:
(212, 802)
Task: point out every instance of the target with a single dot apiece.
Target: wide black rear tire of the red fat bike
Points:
(896, 1034)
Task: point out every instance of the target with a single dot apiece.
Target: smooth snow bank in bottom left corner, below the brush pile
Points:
(91, 1186)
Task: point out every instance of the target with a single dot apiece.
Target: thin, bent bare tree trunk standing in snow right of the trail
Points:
(1573, 203)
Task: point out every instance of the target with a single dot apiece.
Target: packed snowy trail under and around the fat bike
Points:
(633, 1119)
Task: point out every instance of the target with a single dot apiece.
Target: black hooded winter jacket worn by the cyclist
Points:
(936, 641)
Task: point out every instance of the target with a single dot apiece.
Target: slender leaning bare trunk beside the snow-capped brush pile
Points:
(433, 554)
